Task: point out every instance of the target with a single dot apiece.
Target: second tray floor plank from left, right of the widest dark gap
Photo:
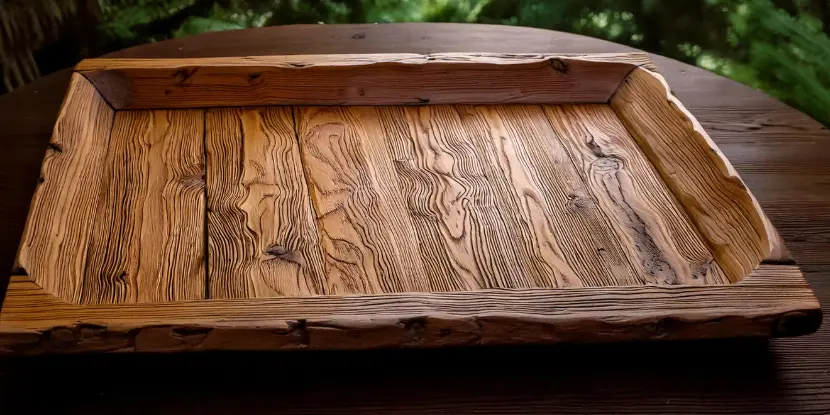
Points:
(263, 237)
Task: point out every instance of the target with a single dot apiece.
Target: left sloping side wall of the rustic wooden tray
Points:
(53, 250)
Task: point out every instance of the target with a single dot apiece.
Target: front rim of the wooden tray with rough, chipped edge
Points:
(775, 300)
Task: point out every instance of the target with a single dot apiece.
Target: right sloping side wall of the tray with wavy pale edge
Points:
(714, 196)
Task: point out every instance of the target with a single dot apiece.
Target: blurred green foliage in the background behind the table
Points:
(779, 46)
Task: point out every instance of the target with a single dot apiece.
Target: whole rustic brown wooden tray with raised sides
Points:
(361, 201)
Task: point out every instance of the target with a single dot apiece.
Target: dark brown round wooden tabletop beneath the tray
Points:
(783, 156)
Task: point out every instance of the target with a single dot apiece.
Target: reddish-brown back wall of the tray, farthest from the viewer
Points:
(385, 79)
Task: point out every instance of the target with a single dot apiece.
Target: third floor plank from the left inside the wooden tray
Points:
(368, 240)
